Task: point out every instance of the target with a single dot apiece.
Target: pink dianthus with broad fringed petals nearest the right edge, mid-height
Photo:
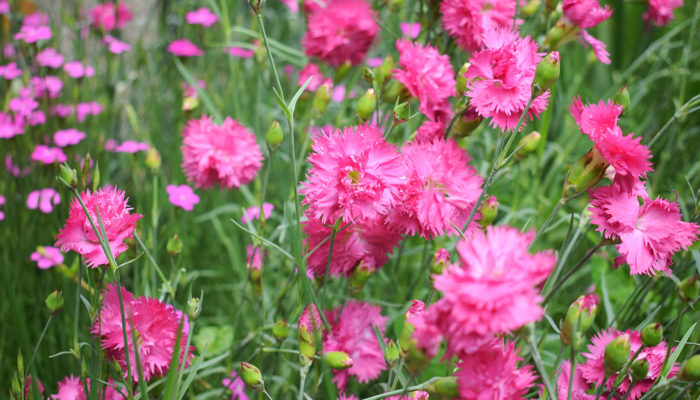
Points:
(650, 231)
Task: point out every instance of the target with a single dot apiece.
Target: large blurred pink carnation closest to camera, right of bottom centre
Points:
(493, 290)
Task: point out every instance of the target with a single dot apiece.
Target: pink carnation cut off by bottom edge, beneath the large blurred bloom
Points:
(493, 373)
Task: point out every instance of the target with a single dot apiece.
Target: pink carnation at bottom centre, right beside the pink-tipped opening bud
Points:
(352, 331)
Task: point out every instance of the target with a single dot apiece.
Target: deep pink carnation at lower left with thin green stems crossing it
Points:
(156, 325)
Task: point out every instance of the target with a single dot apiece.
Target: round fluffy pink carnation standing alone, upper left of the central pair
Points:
(227, 154)
